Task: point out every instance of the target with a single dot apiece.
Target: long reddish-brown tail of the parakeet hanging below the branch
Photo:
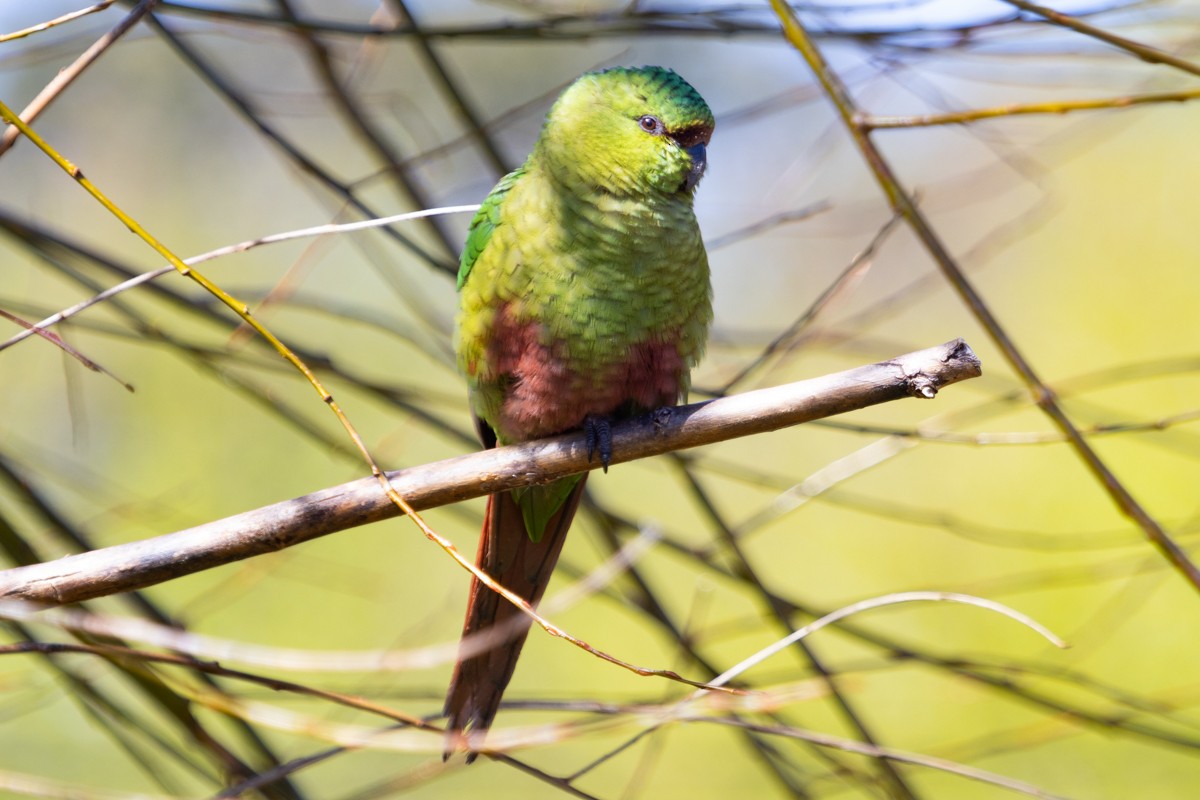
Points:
(495, 630)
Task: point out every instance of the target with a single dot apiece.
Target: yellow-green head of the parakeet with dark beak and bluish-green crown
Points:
(629, 131)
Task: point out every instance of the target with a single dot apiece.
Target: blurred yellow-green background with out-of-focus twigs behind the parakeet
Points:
(218, 123)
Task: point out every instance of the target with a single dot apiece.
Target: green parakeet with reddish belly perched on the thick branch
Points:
(585, 298)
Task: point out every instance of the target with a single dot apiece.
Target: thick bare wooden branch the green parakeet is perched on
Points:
(273, 528)
